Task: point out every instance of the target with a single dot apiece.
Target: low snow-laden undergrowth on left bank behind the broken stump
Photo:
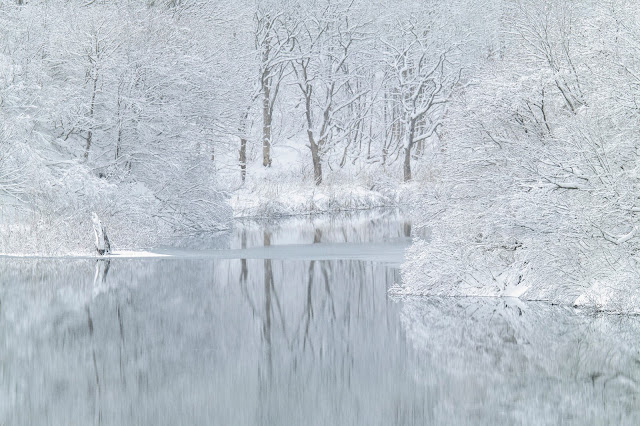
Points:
(51, 213)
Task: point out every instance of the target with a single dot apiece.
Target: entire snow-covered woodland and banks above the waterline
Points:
(508, 128)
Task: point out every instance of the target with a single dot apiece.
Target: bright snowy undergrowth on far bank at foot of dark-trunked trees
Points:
(287, 187)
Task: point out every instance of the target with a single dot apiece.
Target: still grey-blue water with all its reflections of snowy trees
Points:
(289, 322)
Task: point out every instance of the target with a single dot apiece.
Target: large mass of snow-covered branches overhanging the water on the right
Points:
(538, 178)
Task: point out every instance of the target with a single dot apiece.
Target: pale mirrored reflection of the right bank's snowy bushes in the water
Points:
(503, 361)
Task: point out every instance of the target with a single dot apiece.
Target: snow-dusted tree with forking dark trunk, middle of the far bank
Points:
(325, 48)
